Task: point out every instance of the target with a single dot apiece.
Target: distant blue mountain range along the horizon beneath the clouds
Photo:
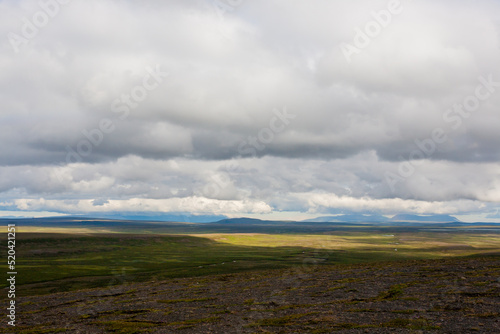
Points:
(399, 223)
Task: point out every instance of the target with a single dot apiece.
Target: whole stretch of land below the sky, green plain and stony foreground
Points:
(220, 278)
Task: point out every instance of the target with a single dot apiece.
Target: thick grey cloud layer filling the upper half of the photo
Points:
(228, 89)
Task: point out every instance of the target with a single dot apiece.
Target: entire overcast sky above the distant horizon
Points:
(275, 109)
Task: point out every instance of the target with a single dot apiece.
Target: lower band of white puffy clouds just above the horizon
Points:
(256, 185)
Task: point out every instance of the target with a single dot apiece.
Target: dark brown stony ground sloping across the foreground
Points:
(458, 295)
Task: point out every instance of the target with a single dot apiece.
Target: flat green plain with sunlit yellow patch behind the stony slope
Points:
(65, 261)
